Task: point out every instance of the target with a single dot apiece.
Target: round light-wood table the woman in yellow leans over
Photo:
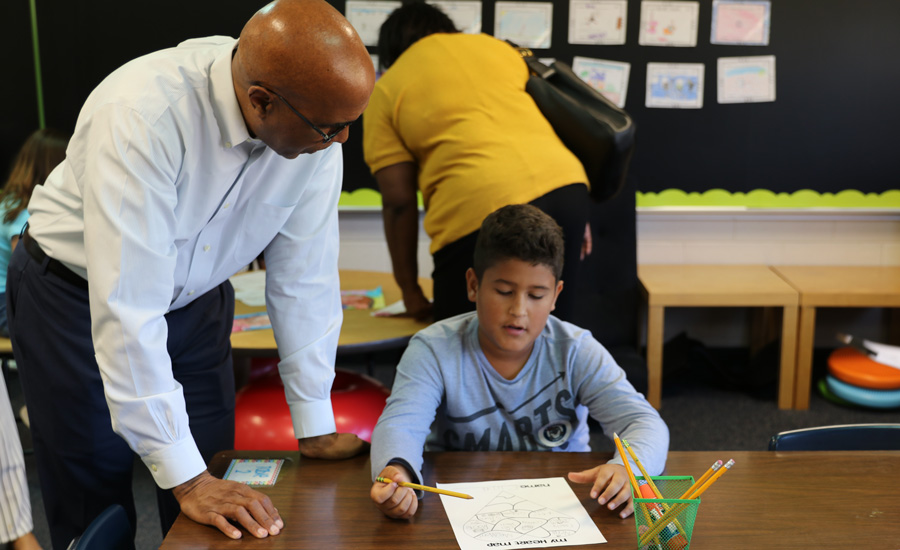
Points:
(360, 332)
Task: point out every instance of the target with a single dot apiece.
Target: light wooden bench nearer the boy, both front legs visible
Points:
(716, 286)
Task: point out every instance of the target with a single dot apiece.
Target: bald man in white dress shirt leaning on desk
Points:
(184, 166)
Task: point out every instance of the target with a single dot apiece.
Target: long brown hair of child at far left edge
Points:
(39, 155)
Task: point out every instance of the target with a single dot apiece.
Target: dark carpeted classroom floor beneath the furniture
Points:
(712, 400)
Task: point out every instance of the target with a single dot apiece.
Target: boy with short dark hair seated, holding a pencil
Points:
(510, 377)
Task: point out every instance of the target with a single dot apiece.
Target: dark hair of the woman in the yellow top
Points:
(413, 20)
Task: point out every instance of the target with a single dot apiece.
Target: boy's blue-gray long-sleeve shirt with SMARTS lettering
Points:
(446, 396)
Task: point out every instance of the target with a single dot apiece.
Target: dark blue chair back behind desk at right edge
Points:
(846, 437)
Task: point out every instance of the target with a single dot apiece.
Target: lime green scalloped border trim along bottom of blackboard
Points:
(759, 198)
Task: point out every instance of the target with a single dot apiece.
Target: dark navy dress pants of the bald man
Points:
(82, 464)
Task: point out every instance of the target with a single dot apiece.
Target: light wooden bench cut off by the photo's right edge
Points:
(834, 286)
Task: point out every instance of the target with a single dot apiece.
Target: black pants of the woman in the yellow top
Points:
(569, 206)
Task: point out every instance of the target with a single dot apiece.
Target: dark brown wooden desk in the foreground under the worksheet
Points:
(769, 500)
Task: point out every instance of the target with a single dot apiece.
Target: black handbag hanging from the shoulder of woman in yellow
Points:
(598, 132)
